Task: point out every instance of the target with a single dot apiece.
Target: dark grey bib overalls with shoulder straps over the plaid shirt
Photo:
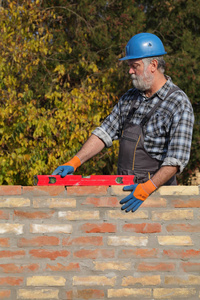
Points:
(133, 158)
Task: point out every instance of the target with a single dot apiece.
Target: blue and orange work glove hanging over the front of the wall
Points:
(140, 192)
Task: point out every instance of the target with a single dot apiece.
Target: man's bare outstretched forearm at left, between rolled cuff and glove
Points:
(91, 147)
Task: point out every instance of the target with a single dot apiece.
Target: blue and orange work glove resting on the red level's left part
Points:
(68, 168)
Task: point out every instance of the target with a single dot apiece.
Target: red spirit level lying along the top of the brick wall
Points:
(84, 180)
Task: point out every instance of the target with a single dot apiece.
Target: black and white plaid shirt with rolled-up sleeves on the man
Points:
(168, 133)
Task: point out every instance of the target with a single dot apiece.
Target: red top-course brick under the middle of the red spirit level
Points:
(85, 190)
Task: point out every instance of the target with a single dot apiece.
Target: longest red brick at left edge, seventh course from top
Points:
(14, 268)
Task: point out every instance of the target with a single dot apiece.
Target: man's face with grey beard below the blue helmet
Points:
(140, 74)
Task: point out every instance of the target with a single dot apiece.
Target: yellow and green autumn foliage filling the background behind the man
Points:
(60, 75)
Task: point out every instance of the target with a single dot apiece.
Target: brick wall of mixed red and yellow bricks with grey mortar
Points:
(76, 243)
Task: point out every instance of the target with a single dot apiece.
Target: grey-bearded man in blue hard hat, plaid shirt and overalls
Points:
(154, 122)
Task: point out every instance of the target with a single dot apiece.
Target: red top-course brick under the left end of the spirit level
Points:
(44, 190)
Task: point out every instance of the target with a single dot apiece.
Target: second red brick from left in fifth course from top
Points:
(39, 241)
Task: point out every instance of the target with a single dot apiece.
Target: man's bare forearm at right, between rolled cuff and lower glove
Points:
(164, 174)
